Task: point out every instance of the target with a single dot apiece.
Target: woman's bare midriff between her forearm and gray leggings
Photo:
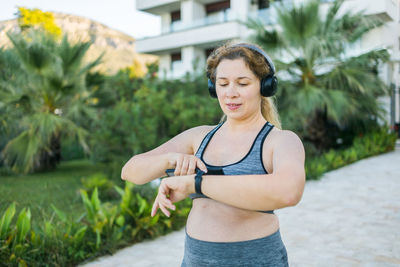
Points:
(214, 221)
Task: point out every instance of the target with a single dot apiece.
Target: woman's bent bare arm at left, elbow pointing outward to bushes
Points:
(145, 167)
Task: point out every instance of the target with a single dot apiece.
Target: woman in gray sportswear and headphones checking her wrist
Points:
(231, 222)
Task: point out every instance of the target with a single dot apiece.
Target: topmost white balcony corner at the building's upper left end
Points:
(158, 7)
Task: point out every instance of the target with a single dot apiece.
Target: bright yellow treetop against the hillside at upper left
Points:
(36, 18)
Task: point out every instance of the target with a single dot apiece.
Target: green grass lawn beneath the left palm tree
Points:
(38, 191)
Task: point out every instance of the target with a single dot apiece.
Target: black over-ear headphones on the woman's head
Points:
(268, 84)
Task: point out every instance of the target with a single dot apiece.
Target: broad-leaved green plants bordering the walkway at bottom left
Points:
(104, 227)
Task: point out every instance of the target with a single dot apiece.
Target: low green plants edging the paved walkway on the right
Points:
(379, 141)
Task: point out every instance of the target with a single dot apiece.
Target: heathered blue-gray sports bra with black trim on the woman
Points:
(251, 163)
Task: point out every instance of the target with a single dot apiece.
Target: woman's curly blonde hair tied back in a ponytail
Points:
(256, 64)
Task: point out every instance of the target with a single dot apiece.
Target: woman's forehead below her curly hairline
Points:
(233, 68)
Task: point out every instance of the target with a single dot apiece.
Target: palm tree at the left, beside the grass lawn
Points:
(50, 96)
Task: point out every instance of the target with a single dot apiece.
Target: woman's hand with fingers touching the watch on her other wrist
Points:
(185, 164)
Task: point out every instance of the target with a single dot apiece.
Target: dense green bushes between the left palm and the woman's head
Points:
(148, 112)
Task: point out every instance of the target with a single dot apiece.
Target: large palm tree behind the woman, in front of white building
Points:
(323, 84)
